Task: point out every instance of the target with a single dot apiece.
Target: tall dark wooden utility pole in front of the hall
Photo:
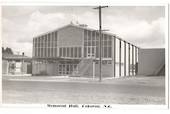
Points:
(100, 29)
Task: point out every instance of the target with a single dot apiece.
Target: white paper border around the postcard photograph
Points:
(94, 4)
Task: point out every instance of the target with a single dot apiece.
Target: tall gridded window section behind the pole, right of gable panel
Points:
(91, 45)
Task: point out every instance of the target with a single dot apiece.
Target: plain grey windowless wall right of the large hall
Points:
(150, 61)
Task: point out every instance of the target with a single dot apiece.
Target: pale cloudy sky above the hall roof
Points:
(143, 26)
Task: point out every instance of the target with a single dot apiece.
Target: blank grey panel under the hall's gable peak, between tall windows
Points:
(70, 36)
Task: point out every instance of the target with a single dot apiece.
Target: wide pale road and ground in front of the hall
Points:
(142, 90)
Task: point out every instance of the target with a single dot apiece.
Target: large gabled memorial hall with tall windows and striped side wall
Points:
(73, 50)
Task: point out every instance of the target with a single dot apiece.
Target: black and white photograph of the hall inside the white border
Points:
(85, 55)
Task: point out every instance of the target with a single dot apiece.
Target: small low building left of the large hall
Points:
(16, 64)
